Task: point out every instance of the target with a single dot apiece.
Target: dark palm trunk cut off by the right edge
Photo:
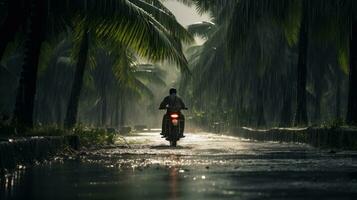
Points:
(352, 92)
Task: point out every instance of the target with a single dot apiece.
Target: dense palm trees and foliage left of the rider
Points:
(59, 59)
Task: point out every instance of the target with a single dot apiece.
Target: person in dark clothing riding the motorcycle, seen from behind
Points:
(172, 103)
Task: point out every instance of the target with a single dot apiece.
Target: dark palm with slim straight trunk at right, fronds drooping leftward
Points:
(247, 14)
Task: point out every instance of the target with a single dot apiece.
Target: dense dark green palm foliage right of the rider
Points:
(274, 63)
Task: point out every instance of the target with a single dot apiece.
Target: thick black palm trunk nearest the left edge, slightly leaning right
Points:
(24, 107)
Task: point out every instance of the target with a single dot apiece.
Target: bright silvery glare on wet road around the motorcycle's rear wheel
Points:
(196, 149)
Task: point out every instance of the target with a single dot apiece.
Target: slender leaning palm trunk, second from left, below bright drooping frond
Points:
(72, 108)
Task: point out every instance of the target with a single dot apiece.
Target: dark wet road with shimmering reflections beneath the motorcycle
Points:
(203, 166)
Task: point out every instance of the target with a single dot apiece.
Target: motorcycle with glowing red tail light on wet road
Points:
(173, 128)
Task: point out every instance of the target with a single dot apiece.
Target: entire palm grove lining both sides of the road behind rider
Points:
(263, 62)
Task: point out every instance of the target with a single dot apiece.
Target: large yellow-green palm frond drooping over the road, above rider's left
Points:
(128, 23)
